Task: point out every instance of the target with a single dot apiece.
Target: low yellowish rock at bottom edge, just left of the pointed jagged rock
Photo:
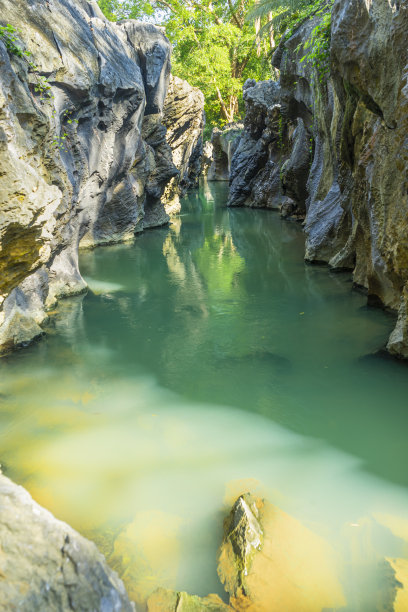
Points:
(165, 600)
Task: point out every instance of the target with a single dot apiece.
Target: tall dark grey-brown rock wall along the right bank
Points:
(333, 148)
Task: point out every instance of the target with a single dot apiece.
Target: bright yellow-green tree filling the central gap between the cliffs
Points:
(215, 49)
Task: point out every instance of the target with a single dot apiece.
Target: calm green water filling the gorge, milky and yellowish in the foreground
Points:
(208, 360)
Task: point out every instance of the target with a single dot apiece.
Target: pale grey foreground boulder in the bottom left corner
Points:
(46, 565)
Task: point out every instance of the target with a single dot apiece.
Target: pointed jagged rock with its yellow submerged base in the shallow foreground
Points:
(269, 562)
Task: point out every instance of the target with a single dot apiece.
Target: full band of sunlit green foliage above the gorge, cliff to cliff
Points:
(218, 44)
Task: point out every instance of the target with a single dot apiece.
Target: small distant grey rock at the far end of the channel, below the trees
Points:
(224, 141)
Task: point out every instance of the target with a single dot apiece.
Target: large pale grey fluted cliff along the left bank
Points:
(83, 163)
